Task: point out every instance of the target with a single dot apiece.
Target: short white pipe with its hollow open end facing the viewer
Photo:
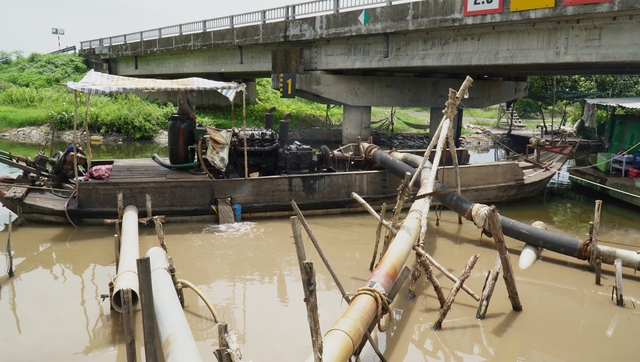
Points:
(127, 277)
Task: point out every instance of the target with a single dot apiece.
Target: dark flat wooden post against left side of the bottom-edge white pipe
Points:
(147, 307)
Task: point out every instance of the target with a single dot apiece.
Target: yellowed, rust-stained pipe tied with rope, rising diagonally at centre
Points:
(345, 335)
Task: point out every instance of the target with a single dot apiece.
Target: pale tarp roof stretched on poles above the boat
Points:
(101, 83)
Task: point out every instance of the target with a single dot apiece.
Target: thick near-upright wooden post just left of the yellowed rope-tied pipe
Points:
(309, 287)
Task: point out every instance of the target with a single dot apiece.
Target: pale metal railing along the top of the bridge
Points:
(282, 13)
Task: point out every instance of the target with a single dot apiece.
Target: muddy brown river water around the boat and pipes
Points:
(51, 309)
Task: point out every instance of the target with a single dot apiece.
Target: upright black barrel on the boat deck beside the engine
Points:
(181, 136)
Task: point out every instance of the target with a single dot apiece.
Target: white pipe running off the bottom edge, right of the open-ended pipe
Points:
(177, 339)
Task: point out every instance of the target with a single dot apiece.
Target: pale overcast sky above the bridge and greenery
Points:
(26, 24)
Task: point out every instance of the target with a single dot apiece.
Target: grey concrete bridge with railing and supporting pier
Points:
(389, 54)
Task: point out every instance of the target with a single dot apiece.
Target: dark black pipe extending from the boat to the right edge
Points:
(400, 163)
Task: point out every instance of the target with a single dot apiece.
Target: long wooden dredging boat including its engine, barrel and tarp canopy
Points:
(255, 169)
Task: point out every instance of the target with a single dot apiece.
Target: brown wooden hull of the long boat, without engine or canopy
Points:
(189, 194)
